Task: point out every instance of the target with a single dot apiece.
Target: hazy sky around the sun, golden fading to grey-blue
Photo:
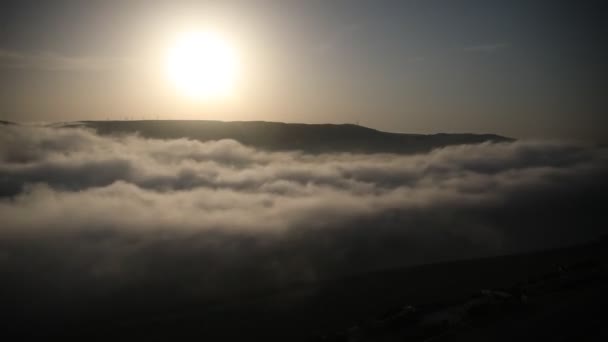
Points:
(525, 69)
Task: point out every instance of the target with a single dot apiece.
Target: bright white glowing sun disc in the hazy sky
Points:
(202, 65)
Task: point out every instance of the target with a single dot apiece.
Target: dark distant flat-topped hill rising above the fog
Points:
(278, 136)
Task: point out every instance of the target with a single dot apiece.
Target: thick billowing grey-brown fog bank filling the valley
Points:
(91, 215)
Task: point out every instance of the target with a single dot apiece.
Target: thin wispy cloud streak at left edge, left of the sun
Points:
(13, 59)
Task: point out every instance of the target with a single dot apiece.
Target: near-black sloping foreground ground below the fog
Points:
(558, 295)
